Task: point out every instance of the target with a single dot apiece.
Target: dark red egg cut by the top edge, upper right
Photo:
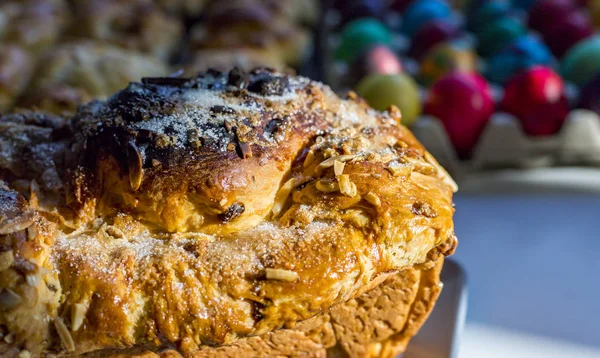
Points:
(546, 13)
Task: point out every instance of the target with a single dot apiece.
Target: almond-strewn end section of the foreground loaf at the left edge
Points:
(29, 289)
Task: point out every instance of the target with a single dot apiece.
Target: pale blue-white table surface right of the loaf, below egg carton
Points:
(533, 265)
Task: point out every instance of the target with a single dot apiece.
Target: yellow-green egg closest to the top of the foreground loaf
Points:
(381, 91)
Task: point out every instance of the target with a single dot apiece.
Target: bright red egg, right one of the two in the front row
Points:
(536, 97)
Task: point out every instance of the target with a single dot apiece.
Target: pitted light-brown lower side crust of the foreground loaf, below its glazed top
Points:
(375, 324)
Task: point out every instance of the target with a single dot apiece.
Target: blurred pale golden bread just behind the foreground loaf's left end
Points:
(78, 72)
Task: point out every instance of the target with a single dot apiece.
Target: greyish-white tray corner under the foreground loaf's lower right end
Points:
(440, 335)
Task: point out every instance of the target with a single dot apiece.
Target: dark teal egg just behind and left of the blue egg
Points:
(498, 34)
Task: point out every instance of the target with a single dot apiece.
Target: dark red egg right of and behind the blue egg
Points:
(572, 29)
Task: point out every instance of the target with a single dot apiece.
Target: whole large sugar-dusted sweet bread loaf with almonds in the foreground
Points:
(227, 214)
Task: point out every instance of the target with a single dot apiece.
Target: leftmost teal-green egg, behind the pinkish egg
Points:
(359, 35)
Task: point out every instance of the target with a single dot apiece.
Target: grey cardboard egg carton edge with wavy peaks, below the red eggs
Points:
(503, 144)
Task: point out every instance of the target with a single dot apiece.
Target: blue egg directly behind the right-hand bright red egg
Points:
(524, 52)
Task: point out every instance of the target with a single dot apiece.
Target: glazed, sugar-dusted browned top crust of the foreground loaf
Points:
(231, 205)
